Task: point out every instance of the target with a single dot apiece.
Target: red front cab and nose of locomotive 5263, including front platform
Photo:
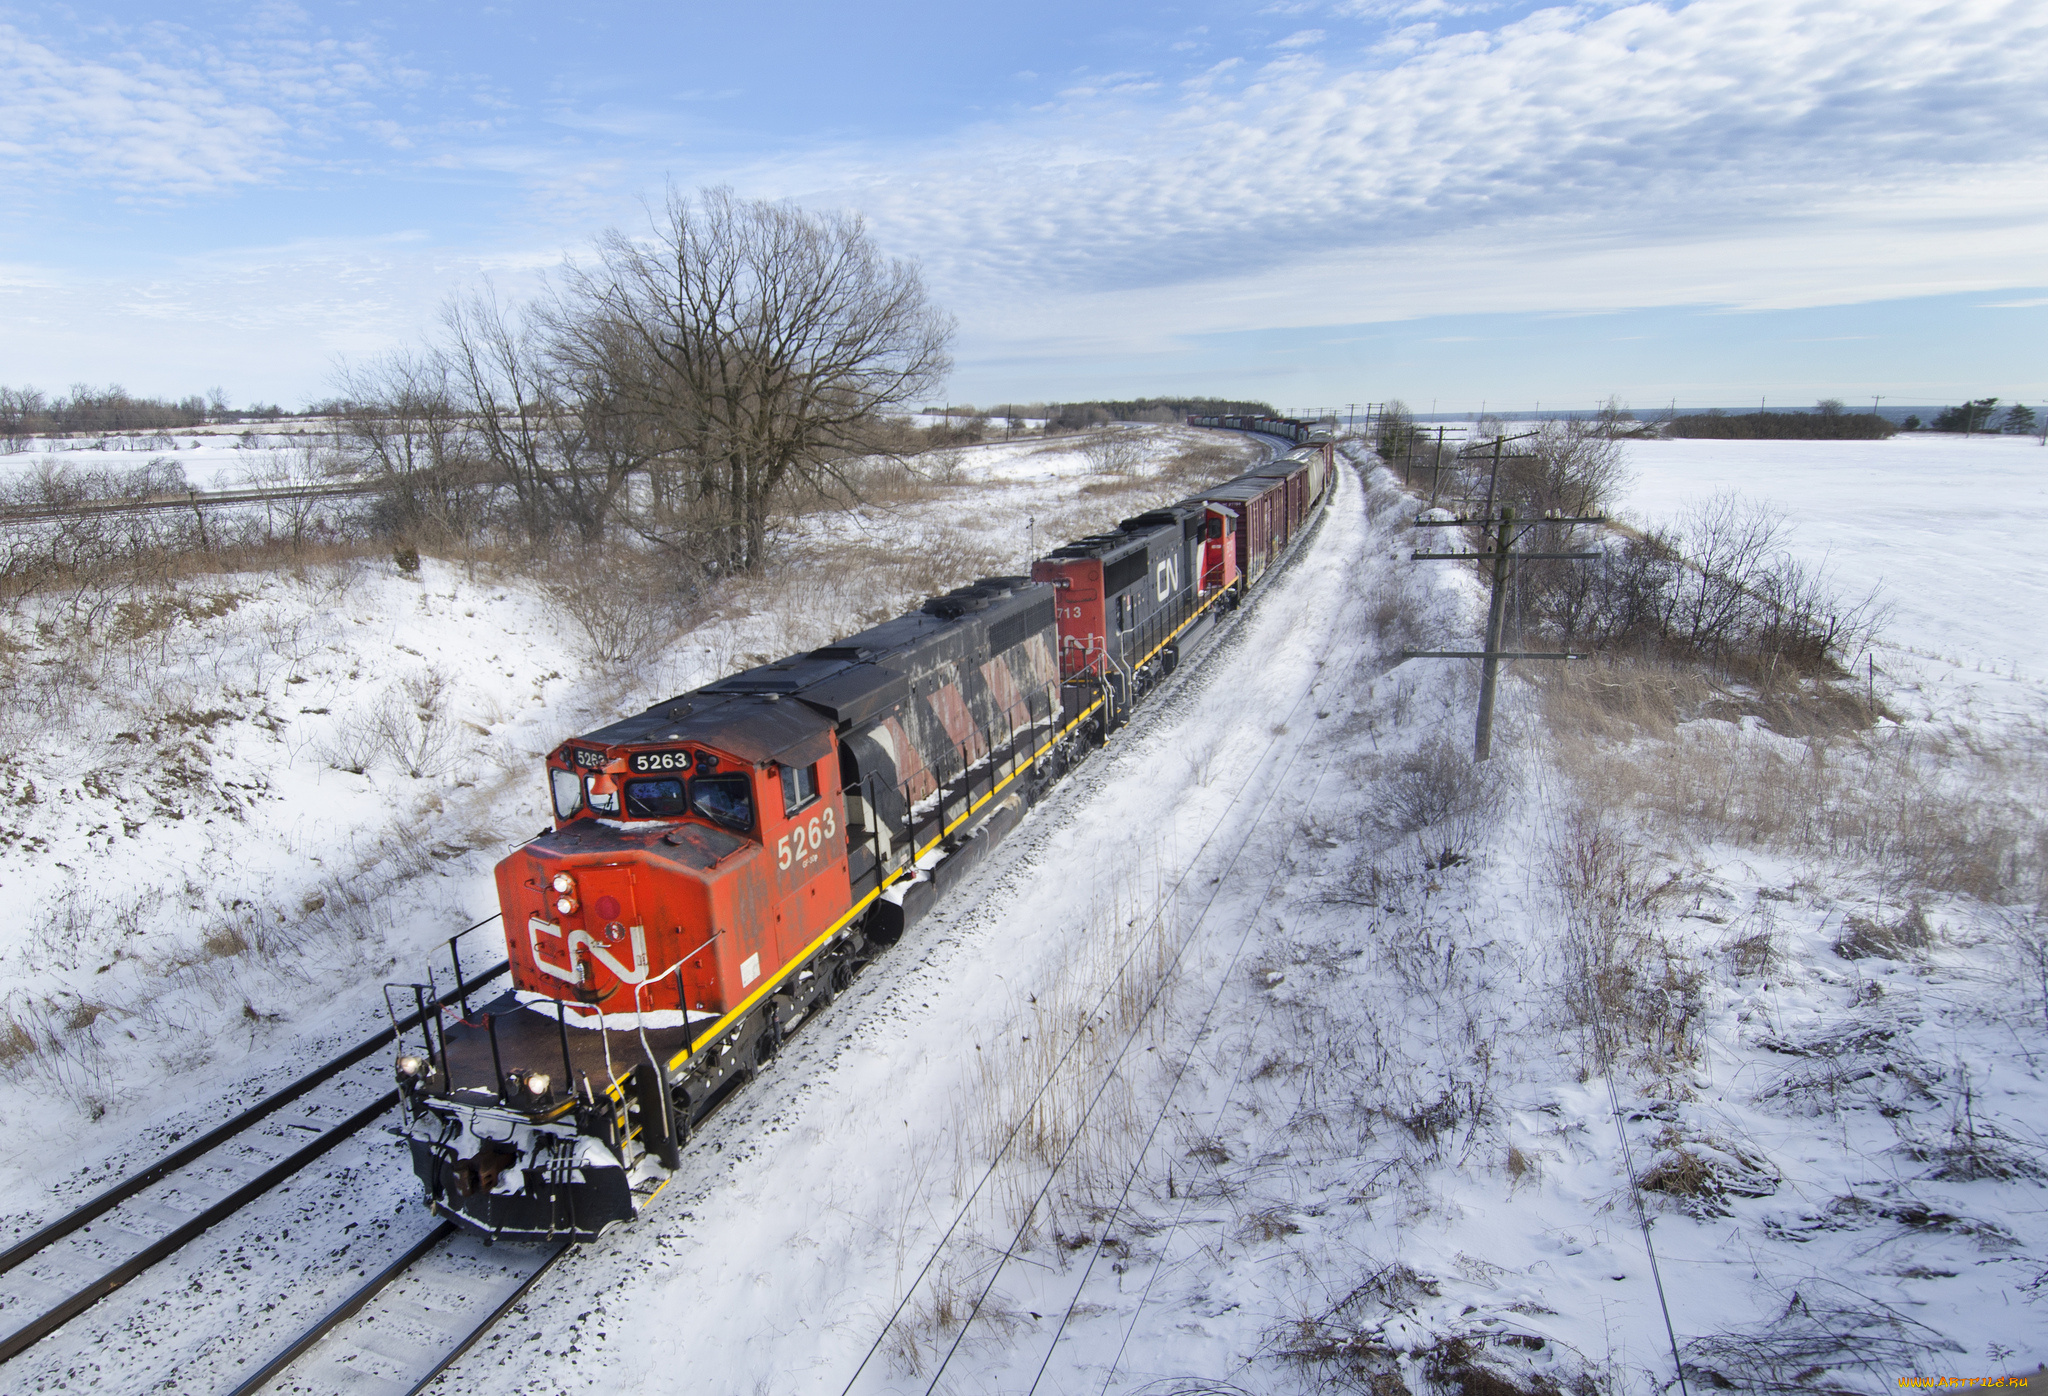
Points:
(648, 936)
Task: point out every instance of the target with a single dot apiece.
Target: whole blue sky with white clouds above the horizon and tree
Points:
(1441, 200)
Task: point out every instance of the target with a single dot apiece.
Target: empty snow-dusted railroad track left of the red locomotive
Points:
(67, 1266)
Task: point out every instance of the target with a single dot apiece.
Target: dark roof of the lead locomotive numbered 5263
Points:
(787, 705)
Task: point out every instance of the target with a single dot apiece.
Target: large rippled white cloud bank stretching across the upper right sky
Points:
(1650, 155)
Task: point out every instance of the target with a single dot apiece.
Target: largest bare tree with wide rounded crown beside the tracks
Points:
(744, 349)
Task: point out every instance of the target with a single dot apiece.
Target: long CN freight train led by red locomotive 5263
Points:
(722, 865)
